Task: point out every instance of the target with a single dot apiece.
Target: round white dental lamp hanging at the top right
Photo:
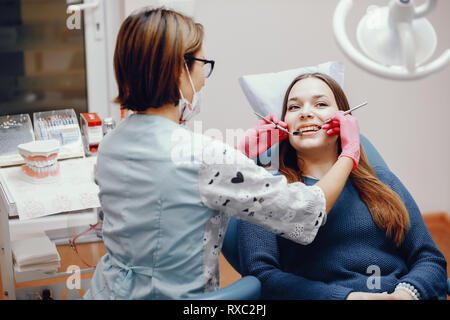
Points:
(397, 39)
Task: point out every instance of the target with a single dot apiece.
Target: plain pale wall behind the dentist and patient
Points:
(406, 121)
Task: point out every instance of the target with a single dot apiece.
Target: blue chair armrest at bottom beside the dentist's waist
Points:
(246, 288)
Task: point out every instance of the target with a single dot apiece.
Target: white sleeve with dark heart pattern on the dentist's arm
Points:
(235, 185)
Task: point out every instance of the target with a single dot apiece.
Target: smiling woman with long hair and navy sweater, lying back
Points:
(374, 244)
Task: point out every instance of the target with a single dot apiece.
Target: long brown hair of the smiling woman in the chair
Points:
(386, 207)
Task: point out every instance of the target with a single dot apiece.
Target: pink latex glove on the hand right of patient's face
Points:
(347, 127)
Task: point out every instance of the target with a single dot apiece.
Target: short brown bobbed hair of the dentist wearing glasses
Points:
(149, 57)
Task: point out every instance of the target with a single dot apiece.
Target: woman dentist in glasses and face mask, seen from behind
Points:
(167, 193)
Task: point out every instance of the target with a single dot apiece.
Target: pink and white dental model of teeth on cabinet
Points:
(41, 160)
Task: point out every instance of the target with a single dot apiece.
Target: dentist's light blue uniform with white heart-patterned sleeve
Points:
(167, 194)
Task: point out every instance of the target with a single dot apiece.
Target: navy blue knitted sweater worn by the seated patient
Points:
(346, 255)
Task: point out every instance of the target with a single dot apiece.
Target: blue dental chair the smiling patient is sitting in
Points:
(249, 287)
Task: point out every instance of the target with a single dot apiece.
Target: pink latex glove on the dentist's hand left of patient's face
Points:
(262, 136)
